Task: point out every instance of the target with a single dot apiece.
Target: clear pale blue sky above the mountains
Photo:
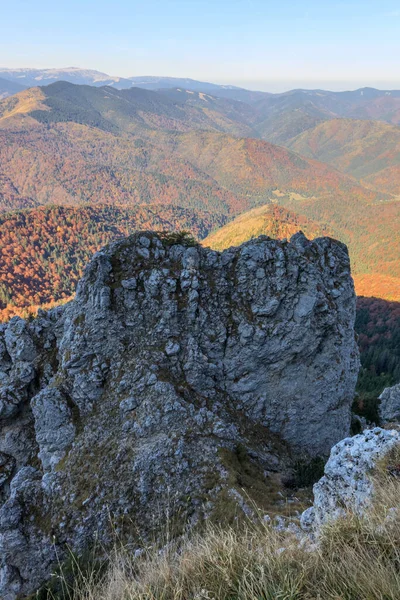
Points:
(258, 44)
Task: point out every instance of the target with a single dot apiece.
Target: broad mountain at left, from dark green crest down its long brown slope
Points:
(68, 144)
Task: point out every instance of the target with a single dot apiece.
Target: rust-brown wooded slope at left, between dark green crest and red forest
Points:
(71, 163)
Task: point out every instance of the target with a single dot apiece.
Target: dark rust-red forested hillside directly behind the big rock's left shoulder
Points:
(43, 251)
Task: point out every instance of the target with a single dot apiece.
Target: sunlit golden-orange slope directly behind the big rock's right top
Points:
(370, 231)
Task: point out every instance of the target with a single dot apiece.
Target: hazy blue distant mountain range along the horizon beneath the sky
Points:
(295, 109)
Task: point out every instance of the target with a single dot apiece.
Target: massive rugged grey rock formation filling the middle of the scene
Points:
(173, 368)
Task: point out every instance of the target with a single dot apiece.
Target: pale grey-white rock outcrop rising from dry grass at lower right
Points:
(346, 484)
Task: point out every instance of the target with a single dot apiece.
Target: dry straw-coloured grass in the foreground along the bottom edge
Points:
(357, 559)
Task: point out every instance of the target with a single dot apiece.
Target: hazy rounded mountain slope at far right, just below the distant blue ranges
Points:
(367, 150)
